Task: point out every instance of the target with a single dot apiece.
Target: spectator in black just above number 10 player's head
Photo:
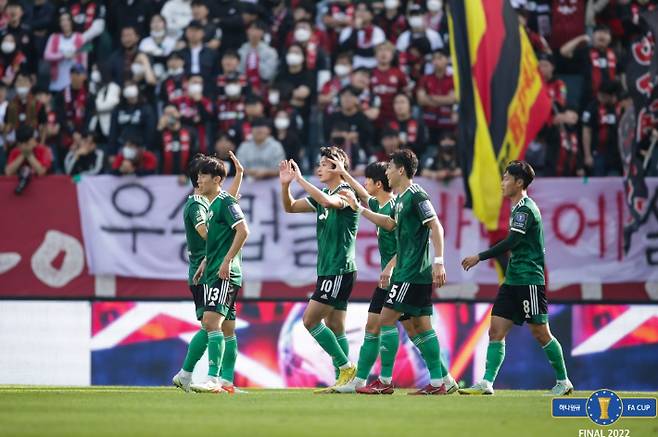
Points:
(358, 127)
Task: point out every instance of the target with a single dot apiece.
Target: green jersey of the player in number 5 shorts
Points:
(412, 211)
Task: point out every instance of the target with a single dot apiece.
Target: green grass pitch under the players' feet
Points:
(98, 411)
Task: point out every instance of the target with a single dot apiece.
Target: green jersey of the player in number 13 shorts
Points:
(224, 214)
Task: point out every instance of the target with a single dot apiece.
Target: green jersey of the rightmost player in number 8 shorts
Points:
(526, 266)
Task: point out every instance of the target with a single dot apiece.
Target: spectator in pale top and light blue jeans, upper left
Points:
(63, 51)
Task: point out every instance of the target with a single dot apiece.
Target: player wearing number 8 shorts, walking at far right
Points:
(521, 298)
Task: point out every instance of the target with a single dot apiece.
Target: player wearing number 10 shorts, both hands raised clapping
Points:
(337, 225)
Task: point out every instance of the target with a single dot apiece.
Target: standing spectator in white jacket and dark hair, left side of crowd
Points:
(106, 96)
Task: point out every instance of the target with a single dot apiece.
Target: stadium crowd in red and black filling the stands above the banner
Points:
(138, 86)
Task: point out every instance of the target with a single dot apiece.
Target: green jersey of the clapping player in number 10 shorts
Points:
(336, 233)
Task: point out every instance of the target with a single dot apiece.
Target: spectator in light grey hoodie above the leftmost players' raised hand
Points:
(261, 155)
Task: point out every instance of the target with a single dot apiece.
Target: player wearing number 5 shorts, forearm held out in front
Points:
(415, 224)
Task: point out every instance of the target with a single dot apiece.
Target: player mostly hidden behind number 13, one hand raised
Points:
(194, 218)
